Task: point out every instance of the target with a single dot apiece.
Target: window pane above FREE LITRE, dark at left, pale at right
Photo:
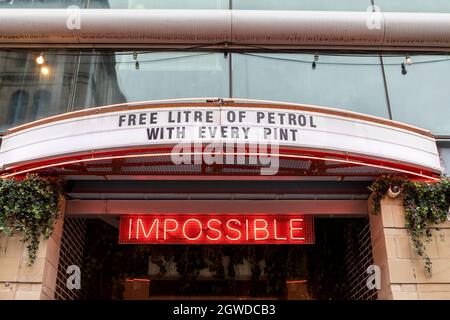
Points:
(115, 78)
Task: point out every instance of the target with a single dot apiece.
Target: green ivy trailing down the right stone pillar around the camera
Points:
(426, 207)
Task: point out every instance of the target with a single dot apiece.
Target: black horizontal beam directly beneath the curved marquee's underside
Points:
(201, 187)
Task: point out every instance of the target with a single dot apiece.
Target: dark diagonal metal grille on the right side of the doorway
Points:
(358, 258)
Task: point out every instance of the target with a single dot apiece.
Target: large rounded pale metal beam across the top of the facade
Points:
(231, 29)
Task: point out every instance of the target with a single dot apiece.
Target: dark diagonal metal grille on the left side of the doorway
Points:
(71, 253)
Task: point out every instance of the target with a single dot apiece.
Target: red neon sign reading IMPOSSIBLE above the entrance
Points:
(216, 229)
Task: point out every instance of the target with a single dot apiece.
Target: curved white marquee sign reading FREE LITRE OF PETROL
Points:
(124, 127)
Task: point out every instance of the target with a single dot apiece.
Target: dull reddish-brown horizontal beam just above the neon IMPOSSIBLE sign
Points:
(93, 208)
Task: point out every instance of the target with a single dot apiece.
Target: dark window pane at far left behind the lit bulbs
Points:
(19, 72)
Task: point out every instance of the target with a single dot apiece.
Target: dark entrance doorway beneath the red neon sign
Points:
(333, 268)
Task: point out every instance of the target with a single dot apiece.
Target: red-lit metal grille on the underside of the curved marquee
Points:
(158, 161)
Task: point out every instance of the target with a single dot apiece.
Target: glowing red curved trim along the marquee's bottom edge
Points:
(286, 153)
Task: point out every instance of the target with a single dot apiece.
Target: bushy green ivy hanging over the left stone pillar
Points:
(29, 207)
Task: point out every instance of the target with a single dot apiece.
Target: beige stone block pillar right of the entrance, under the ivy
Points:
(403, 275)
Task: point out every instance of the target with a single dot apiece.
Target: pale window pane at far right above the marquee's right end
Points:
(422, 96)
